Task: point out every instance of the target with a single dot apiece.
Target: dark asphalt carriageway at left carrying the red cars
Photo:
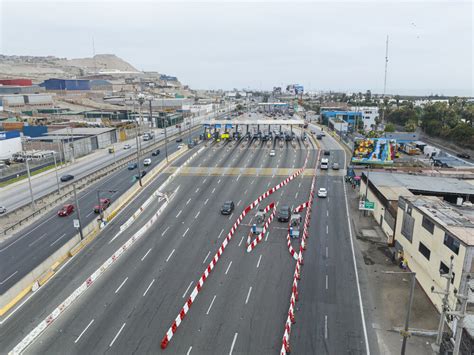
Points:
(29, 247)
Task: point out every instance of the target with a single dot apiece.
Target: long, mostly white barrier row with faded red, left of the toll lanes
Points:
(54, 315)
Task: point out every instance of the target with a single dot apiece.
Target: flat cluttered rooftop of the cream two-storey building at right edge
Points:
(459, 221)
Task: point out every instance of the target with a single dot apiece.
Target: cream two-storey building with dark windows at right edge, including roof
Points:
(431, 232)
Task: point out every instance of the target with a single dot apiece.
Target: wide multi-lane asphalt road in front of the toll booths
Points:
(242, 306)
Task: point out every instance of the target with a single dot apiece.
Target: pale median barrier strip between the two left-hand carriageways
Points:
(51, 199)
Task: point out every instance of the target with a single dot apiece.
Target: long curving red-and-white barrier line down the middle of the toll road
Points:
(185, 309)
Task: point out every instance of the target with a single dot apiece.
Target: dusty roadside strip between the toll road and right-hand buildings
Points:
(389, 294)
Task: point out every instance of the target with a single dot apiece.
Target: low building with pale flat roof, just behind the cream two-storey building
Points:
(386, 188)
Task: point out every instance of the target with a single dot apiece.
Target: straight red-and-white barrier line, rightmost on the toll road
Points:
(285, 348)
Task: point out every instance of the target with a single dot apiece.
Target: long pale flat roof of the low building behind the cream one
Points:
(422, 183)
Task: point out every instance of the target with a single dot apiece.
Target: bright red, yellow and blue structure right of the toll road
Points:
(374, 151)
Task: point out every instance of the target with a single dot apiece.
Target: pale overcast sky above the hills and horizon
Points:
(321, 45)
